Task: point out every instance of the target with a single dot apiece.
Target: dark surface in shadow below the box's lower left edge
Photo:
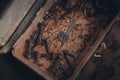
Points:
(12, 69)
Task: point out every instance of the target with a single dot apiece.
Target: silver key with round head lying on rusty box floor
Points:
(63, 36)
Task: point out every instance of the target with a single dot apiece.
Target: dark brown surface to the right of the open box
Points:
(108, 66)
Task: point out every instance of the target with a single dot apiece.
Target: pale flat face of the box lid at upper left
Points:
(11, 16)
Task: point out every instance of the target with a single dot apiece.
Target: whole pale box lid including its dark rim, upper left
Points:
(15, 17)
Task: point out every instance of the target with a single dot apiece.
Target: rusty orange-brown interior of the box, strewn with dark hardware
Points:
(55, 56)
